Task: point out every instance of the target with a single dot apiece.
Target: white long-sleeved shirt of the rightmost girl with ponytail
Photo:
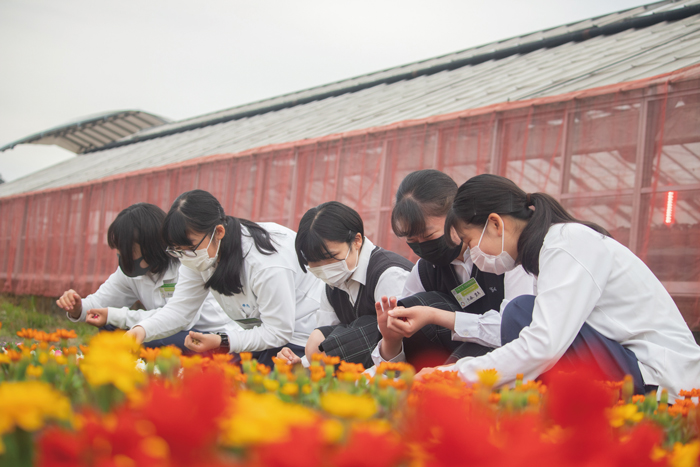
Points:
(588, 278)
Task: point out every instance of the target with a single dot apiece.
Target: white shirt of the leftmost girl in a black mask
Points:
(120, 291)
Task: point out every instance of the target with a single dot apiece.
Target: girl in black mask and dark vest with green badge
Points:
(436, 322)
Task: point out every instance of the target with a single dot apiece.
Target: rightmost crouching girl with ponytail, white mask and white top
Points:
(595, 298)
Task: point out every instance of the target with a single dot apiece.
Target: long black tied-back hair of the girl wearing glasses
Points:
(199, 212)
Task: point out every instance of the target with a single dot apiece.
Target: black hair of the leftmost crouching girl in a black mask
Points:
(140, 223)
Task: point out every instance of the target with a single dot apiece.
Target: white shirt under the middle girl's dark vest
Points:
(390, 284)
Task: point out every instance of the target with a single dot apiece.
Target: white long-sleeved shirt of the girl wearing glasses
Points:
(275, 290)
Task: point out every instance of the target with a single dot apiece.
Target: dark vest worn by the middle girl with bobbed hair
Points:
(379, 261)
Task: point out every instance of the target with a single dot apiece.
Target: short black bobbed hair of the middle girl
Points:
(331, 221)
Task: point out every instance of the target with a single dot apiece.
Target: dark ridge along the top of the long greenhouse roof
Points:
(645, 20)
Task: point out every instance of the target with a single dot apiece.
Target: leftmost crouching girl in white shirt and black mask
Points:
(145, 274)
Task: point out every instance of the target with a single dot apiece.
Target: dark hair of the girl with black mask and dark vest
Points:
(424, 193)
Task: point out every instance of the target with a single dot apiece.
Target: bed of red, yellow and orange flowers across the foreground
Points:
(94, 406)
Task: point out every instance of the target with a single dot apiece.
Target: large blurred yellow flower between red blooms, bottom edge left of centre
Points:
(262, 418)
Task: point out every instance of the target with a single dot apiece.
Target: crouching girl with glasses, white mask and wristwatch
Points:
(252, 271)
